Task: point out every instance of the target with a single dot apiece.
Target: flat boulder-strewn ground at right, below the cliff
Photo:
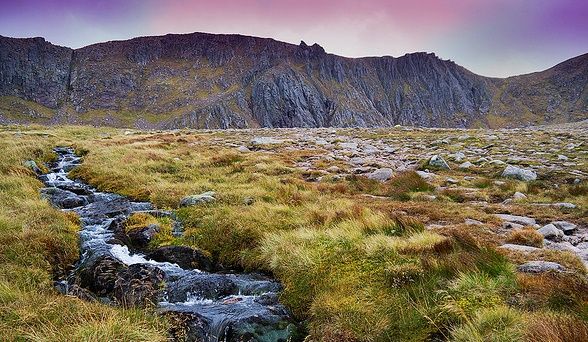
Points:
(454, 160)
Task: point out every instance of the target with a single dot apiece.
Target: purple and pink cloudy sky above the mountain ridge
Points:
(490, 37)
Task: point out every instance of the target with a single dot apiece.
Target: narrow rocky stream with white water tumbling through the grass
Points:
(215, 306)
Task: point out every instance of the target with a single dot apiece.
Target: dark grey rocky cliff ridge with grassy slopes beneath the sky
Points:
(221, 81)
